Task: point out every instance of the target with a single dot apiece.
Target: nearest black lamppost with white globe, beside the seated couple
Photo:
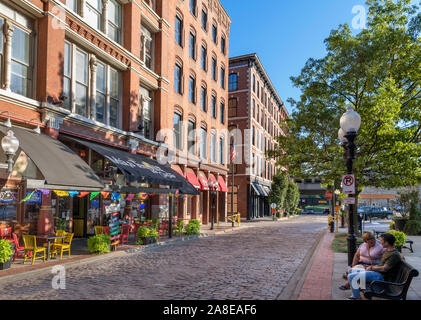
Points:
(350, 124)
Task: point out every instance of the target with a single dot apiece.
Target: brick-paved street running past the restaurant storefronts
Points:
(254, 263)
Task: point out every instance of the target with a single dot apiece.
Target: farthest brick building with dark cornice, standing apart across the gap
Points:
(255, 108)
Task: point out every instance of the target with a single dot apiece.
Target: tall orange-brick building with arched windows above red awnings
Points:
(198, 60)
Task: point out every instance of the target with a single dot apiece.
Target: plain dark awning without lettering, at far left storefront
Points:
(60, 166)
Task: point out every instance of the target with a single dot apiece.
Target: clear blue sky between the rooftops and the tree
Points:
(285, 33)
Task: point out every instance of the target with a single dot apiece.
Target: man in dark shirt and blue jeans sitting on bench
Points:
(384, 271)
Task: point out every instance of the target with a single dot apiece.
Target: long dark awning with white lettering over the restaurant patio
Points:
(137, 168)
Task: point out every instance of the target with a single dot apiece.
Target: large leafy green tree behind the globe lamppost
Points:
(378, 71)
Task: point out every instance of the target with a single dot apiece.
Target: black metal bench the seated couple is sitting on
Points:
(397, 289)
